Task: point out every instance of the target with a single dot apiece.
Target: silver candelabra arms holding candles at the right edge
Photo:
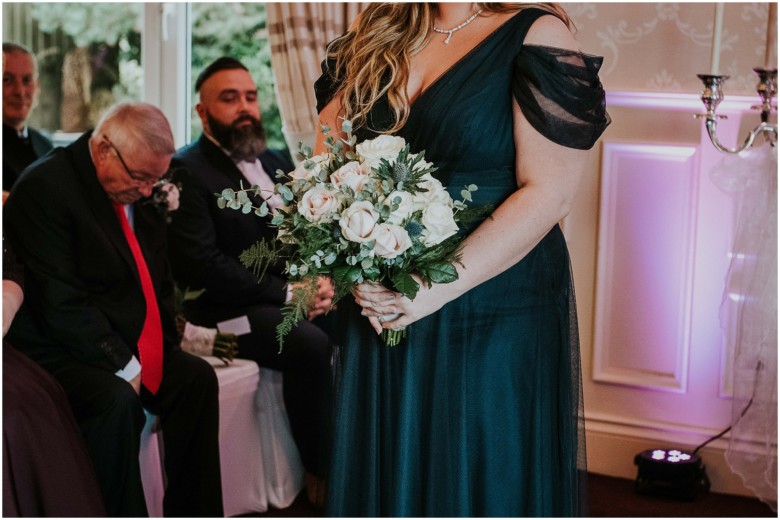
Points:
(713, 95)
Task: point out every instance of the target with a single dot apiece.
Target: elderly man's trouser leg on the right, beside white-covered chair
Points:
(188, 406)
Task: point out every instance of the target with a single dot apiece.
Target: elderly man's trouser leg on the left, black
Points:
(111, 418)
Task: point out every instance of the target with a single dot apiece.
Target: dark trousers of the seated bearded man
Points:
(305, 362)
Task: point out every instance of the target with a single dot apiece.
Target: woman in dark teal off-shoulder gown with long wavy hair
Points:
(478, 412)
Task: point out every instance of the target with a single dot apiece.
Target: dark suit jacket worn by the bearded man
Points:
(205, 242)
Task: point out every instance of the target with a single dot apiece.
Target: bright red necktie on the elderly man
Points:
(150, 341)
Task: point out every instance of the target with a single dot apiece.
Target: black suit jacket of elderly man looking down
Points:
(83, 296)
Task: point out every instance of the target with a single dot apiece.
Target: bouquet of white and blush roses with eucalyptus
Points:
(368, 211)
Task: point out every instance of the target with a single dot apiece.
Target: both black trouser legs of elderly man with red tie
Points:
(111, 417)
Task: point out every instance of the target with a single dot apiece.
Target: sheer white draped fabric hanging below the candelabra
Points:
(751, 289)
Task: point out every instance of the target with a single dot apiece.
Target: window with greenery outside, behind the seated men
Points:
(90, 56)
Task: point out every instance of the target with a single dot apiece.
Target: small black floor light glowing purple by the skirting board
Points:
(671, 473)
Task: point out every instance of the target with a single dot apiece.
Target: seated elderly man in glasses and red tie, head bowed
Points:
(98, 313)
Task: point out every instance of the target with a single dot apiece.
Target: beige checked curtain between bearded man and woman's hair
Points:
(298, 33)
